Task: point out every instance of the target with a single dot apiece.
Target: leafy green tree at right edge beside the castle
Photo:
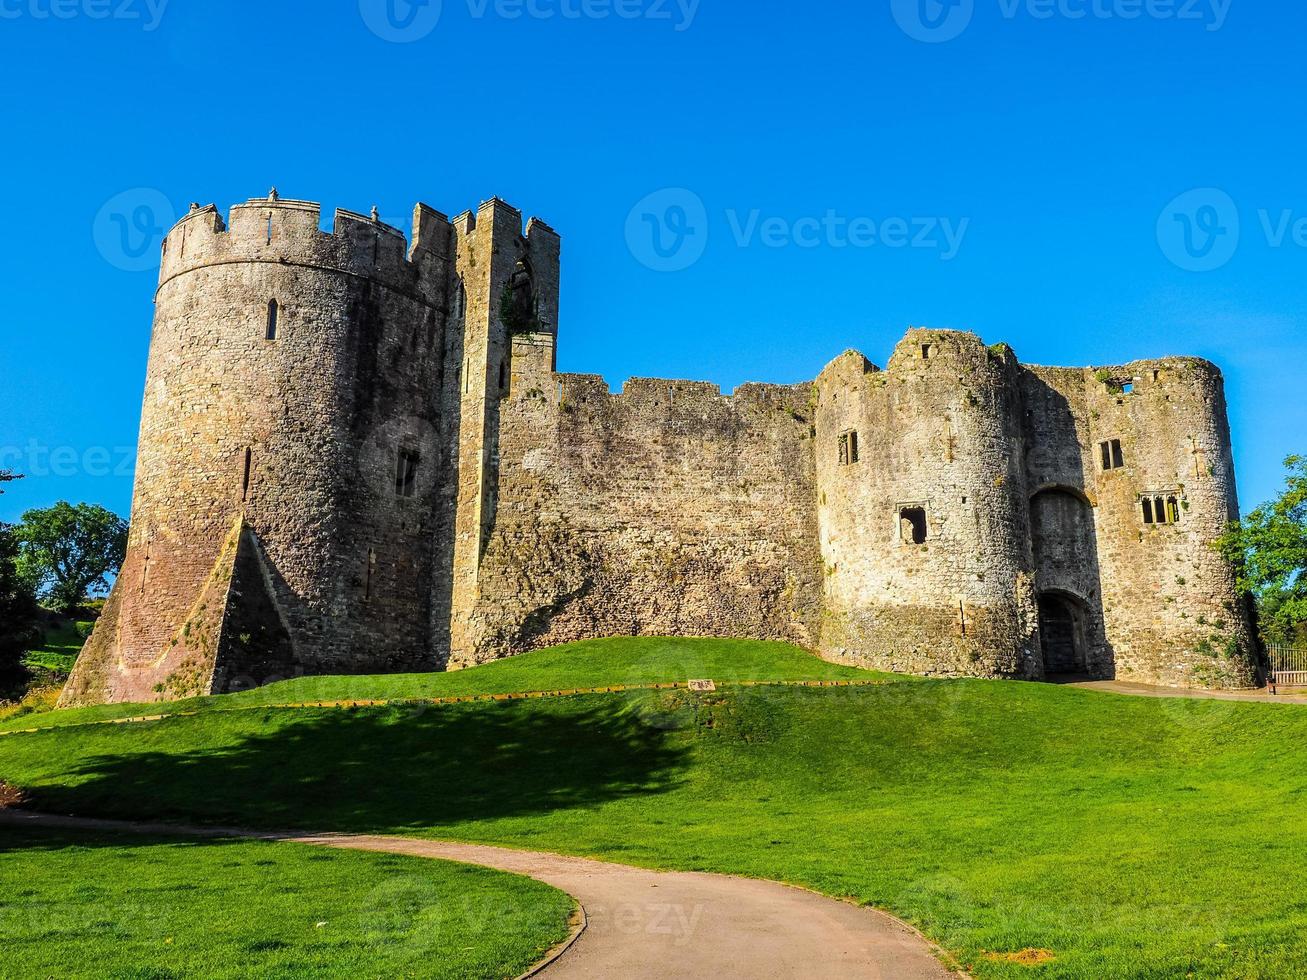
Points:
(1270, 548)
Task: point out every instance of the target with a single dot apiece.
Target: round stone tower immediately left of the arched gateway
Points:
(923, 523)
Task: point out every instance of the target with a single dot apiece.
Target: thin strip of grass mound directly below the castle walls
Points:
(576, 666)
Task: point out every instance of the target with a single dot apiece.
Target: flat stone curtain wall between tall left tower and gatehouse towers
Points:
(666, 510)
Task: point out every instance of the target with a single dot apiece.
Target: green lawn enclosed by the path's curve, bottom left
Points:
(84, 905)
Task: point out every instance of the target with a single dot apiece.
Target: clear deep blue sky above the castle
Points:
(1055, 144)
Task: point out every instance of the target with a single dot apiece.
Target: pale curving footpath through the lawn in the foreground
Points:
(653, 924)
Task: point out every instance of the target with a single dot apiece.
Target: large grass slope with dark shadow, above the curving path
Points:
(1127, 837)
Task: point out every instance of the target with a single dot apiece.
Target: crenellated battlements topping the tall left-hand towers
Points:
(288, 232)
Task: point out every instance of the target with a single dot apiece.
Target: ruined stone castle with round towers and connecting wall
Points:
(357, 457)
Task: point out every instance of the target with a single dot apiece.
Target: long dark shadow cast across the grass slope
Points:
(367, 769)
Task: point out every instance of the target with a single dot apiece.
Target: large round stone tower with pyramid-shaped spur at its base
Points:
(288, 472)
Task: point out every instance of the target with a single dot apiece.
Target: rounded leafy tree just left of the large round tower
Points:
(67, 553)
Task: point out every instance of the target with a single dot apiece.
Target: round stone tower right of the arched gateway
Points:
(1166, 492)
